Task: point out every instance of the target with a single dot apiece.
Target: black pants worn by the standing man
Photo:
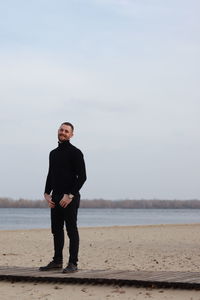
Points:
(68, 215)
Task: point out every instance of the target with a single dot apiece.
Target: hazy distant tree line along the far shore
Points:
(101, 203)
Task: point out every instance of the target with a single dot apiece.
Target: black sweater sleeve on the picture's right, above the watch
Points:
(80, 173)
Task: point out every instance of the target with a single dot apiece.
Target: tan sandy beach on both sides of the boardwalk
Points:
(159, 247)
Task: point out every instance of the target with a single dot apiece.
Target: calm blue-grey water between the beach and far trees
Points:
(27, 218)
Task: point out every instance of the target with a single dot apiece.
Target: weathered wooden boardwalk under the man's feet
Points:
(155, 279)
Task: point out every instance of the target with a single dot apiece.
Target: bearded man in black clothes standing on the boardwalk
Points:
(65, 178)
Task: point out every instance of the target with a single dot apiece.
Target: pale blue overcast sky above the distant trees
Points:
(124, 72)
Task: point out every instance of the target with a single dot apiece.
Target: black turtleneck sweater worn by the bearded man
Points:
(67, 171)
